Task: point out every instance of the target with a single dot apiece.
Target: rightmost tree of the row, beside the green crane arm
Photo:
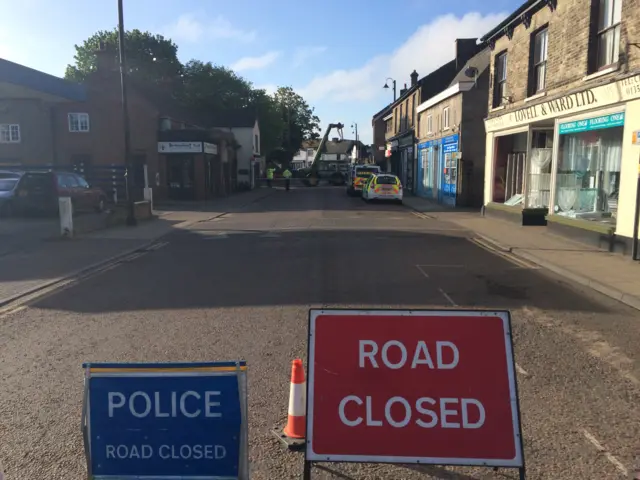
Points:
(300, 121)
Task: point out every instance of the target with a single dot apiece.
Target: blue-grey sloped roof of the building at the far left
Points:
(17, 74)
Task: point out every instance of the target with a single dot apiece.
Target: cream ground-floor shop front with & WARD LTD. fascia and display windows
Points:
(569, 161)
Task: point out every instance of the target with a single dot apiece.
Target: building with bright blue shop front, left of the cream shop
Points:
(451, 137)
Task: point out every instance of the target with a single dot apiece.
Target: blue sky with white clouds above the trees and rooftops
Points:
(336, 54)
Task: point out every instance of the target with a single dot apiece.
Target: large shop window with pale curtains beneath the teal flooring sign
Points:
(588, 176)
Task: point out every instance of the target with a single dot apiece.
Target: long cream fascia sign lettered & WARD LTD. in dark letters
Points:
(572, 103)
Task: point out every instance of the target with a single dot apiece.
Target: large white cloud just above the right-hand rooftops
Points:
(431, 46)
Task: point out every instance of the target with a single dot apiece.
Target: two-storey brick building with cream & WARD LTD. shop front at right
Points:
(563, 106)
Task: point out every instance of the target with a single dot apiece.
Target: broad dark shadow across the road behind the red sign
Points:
(319, 267)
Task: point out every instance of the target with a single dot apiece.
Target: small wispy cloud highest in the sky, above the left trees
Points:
(192, 29)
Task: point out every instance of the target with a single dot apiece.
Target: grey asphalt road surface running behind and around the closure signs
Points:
(241, 286)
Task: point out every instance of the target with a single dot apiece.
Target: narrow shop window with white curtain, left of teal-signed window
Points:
(538, 182)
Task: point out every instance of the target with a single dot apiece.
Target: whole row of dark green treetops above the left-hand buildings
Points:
(285, 118)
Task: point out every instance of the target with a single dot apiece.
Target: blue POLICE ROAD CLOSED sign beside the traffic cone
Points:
(166, 421)
